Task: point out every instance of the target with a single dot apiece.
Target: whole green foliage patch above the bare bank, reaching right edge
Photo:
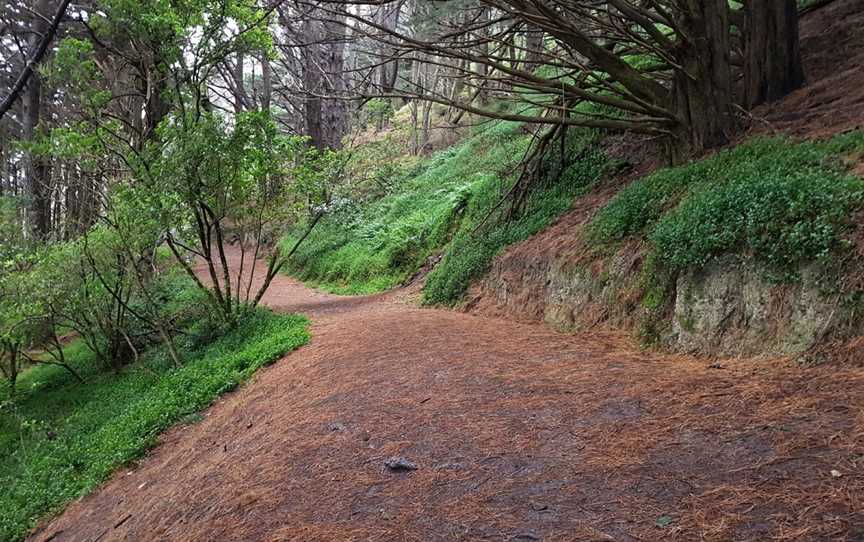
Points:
(781, 202)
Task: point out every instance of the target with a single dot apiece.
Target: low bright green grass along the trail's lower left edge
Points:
(59, 439)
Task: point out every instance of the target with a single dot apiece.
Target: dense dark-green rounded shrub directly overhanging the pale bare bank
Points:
(781, 221)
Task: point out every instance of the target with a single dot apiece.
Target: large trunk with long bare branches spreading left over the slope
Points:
(703, 88)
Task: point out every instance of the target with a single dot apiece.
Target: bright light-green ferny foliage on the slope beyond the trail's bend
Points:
(364, 246)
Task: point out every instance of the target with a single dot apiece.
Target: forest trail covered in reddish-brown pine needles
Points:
(518, 433)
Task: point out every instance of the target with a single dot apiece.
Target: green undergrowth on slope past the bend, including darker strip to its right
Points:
(376, 244)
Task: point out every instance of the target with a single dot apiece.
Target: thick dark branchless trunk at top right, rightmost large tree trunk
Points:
(772, 63)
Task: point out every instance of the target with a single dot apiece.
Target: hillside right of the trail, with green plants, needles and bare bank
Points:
(742, 253)
